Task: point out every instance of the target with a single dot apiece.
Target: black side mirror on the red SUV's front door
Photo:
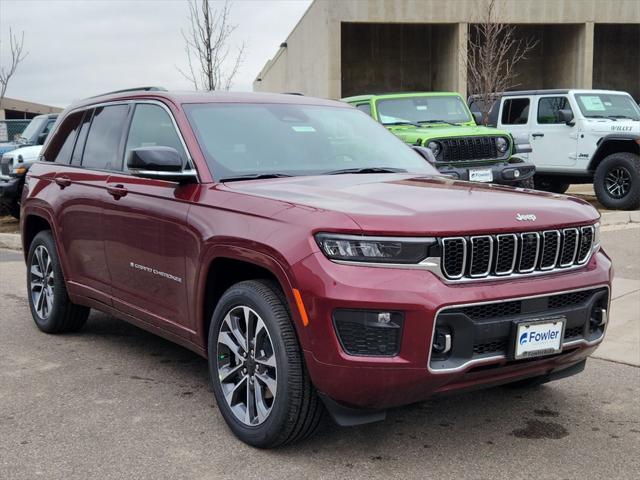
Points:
(163, 163)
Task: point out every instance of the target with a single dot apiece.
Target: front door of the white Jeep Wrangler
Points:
(554, 143)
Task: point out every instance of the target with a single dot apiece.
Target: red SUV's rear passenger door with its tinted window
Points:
(95, 137)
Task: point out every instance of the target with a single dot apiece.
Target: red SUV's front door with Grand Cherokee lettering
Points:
(146, 233)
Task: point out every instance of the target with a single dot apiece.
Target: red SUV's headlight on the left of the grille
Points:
(354, 248)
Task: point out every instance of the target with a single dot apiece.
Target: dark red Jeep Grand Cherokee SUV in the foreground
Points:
(317, 261)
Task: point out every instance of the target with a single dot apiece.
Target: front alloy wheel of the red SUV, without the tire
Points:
(247, 367)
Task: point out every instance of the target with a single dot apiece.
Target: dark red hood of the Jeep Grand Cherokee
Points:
(403, 204)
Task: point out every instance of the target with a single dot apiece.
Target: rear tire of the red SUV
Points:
(62, 315)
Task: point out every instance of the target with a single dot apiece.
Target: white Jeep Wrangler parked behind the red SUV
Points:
(577, 136)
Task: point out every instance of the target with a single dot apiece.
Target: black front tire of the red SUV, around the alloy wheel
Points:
(296, 410)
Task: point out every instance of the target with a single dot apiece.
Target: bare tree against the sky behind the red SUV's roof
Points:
(207, 47)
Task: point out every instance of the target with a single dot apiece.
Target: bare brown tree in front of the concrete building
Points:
(494, 50)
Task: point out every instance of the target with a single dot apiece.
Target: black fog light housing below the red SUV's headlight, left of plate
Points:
(369, 332)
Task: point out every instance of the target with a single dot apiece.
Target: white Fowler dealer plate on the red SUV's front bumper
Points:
(539, 337)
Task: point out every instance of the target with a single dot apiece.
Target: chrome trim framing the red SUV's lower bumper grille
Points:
(491, 359)
